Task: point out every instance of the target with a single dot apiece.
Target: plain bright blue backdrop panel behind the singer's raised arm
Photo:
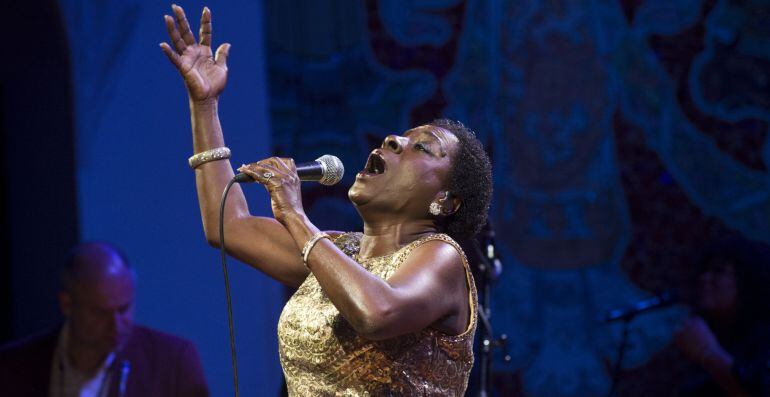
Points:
(136, 190)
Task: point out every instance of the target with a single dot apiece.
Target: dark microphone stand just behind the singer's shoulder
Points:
(489, 267)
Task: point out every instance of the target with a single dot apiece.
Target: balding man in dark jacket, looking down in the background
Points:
(98, 351)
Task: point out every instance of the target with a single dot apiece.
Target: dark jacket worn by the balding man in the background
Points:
(160, 365)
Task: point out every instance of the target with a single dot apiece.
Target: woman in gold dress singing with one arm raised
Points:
(390, 311)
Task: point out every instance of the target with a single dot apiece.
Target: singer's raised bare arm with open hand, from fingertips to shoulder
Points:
(258, 241)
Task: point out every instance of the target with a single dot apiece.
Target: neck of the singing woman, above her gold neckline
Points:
(381, 238)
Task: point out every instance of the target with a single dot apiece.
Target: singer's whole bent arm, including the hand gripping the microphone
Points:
(429, 289)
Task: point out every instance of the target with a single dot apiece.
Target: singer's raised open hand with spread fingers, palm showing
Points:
(204, 75)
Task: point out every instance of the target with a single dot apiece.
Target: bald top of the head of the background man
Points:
(90, 263)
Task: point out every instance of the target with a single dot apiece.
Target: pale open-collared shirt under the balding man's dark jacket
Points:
(67, 381)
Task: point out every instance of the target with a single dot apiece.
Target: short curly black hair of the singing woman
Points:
(470, 179)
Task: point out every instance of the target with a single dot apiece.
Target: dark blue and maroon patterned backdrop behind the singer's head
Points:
(623, 133)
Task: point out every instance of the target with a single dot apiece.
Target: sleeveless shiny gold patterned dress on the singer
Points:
(321, 354)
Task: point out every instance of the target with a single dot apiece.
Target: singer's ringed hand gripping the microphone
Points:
(279, 176)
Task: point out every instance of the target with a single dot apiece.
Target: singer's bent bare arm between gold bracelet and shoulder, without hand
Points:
(429, 289)
